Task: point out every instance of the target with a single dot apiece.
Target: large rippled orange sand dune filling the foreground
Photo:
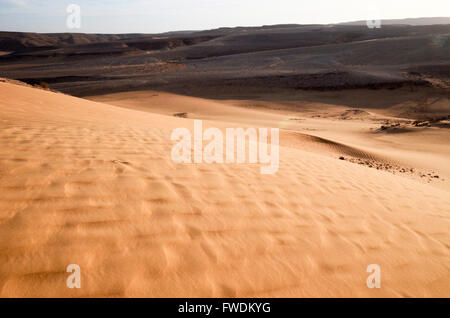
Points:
(93, 184)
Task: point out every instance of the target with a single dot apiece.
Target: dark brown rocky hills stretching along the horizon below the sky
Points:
(290, 56)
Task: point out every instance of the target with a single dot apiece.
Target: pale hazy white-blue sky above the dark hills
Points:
(151, 16)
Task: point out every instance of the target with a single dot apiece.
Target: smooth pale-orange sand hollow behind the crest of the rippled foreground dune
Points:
(332, 130)
